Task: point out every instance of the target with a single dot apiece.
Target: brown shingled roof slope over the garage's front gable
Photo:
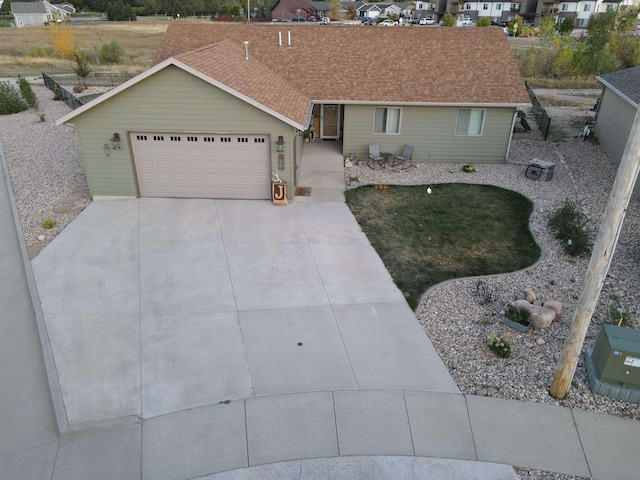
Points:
(225, 62)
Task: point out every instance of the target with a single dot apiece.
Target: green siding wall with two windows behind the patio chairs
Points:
(431, 130)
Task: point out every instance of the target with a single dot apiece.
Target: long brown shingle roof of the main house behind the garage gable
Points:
(372, 64)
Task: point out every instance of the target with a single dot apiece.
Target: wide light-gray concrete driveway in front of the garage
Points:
(156, 306)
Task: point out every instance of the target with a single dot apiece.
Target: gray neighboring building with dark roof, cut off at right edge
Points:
(617, 109)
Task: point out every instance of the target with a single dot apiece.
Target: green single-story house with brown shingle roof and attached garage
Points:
(215, 115)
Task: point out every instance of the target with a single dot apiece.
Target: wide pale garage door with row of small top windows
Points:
(202, 165)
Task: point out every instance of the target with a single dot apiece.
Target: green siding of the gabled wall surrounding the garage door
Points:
(169, 101)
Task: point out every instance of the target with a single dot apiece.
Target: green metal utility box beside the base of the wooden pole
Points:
(616, 356)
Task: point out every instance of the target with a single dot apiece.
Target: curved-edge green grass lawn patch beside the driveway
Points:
(458, 230)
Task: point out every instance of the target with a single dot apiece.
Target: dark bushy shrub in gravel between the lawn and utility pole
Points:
(570, 226)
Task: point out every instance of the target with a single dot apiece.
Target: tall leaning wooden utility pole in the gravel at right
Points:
(603, 249)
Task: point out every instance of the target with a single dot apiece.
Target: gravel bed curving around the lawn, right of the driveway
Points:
(458, 321)
